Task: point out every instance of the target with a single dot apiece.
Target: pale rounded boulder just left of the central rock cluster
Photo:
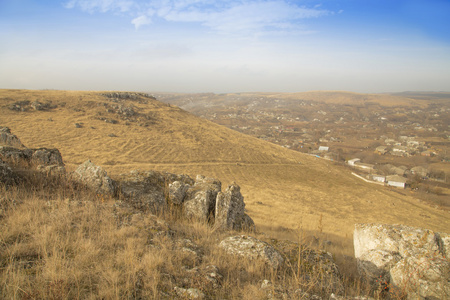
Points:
(94, 177)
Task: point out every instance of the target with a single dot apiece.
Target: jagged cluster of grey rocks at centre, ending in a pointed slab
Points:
(201, 199)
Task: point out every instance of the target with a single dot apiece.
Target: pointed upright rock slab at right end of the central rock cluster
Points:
(230, 209)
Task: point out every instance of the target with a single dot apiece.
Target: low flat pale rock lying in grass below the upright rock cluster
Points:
(252, 248)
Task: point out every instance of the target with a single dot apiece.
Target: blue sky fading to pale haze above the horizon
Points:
(366, 46)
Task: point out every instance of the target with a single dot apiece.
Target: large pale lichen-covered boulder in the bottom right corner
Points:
(404, 259)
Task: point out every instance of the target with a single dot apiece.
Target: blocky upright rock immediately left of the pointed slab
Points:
(200, 198)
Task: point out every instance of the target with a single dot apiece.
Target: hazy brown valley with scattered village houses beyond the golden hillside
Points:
(401, 146)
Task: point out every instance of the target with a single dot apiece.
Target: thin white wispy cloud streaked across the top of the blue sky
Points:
(228, 17)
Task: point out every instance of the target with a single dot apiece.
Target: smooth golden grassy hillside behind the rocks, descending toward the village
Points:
(281, 187)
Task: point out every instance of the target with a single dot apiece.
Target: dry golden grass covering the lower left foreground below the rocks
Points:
(60, 241)
